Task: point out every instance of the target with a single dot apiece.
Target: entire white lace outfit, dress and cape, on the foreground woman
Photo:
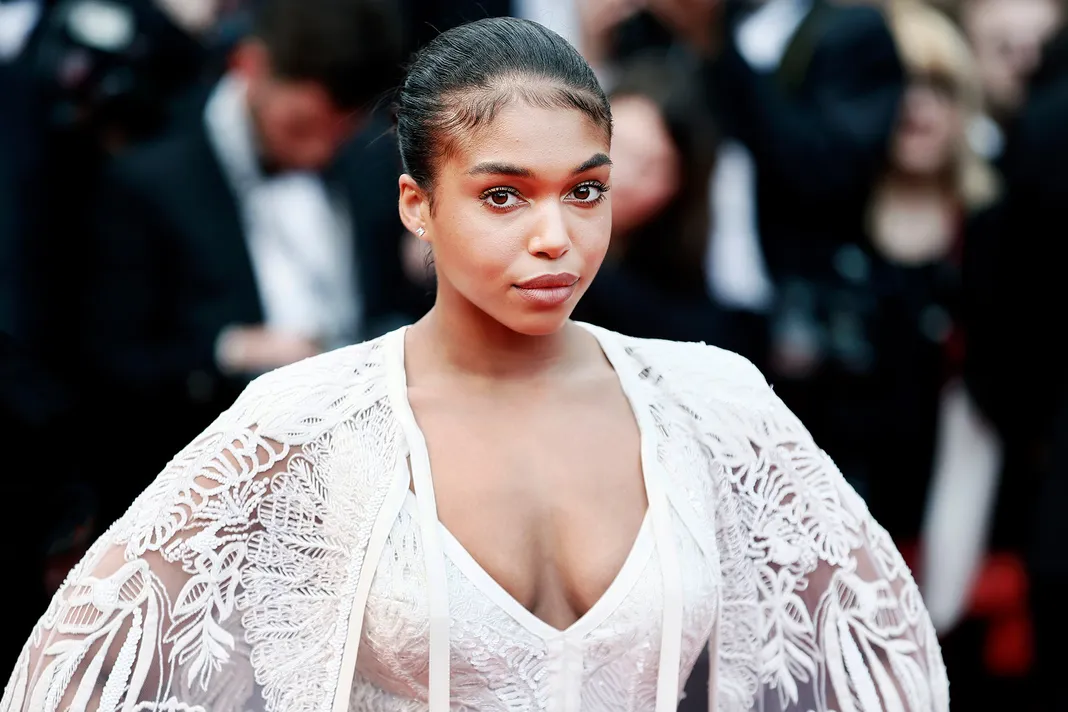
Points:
(281, 563)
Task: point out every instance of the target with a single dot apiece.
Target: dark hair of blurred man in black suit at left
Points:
(351, 48)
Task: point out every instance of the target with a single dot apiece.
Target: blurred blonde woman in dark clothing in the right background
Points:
(881, 325)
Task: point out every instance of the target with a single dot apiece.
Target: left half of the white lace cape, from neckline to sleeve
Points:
(228, 584)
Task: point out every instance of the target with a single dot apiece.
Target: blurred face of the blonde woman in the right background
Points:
(930, 131)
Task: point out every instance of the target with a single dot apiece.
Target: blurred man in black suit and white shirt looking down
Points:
(258, 235)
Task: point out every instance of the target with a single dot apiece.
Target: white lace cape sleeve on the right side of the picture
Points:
(815, 592)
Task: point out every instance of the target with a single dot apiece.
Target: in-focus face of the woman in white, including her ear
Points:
(521, 218)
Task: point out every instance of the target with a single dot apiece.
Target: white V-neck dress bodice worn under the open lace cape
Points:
(502, 657)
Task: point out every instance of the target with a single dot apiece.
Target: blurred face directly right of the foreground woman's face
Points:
(647, 167)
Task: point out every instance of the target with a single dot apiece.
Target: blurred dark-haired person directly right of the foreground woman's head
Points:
(664, 149)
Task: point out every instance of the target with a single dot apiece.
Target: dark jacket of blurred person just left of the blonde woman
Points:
(819, 130)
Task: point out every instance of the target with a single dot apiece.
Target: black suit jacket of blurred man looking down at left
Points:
(172, 268)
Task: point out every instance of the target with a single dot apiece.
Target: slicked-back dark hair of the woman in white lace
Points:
(465, 76)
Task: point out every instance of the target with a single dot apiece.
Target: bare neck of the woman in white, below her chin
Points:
(466, 341)
